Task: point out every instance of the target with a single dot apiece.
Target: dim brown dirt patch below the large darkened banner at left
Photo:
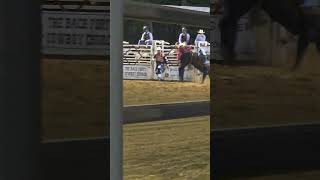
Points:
(74, 99)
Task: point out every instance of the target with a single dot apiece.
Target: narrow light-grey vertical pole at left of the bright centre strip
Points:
(116, 80)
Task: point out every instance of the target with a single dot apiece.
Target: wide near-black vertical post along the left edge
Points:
(20, 89)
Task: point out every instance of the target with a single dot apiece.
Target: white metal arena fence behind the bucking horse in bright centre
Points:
(138, 61)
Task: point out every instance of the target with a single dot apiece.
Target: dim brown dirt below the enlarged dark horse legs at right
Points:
(260, 96)
